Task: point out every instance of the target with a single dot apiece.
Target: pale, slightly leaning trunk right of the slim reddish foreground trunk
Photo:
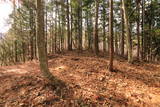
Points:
(128, 33)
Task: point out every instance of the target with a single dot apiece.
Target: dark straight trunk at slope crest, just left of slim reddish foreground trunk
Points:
(96, 46)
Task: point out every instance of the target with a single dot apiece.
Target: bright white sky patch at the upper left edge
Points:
(5, 11)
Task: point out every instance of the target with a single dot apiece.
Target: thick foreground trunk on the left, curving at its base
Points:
(41, 41)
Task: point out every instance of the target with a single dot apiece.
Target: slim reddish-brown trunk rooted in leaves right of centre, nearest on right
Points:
(111, 49)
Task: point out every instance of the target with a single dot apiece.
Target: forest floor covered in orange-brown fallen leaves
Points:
(88, 83)
